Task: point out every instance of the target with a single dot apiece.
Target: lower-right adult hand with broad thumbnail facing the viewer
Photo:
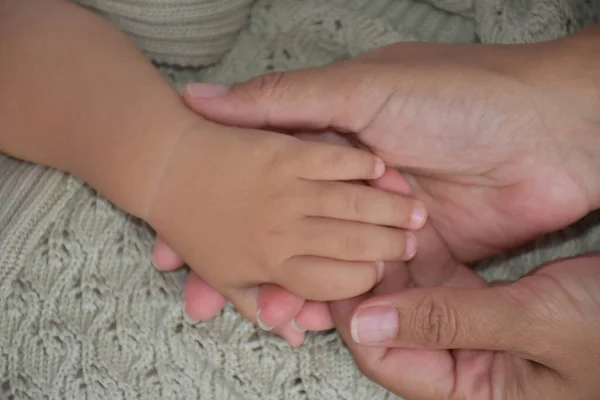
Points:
(534, 339)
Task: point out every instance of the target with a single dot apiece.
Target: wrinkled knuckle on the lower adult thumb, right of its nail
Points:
(434, 323)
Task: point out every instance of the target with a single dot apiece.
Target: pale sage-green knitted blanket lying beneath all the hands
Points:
(85, 316)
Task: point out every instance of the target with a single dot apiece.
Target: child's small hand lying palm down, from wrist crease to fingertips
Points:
(246, 208)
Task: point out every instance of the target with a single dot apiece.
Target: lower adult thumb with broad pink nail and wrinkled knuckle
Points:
(493, 318)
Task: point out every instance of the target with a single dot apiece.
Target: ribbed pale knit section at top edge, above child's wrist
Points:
(182, 32)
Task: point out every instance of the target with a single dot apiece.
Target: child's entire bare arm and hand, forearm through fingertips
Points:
(244, 208)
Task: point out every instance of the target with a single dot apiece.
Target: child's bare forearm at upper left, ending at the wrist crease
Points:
(76, 95)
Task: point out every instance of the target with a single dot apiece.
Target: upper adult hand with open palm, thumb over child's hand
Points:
(499, 144)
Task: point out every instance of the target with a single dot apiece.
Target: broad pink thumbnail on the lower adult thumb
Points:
(376, 324)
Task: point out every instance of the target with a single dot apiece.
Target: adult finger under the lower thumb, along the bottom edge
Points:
(440, 374)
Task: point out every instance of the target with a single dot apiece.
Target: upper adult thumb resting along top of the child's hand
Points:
(341, 96)
